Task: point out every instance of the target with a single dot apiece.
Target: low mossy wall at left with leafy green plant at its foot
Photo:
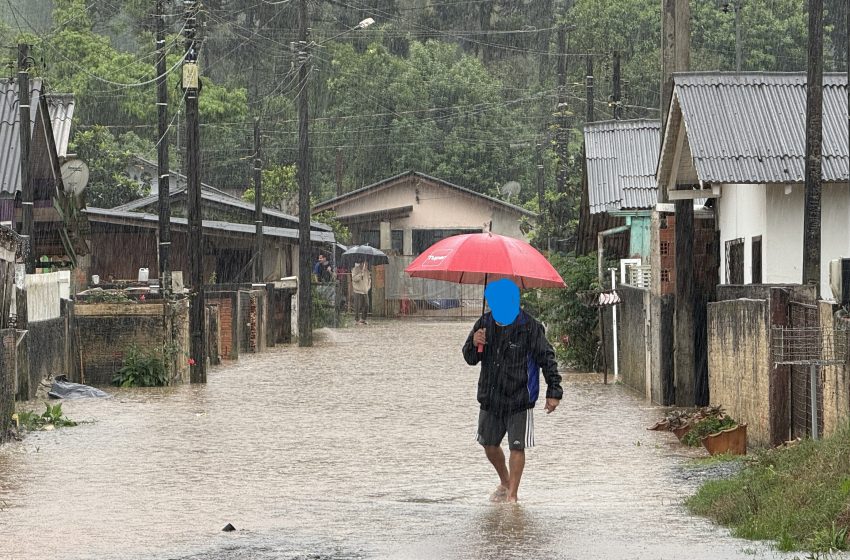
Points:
(106, 332)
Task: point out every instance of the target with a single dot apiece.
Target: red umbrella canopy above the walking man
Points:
(478, 258)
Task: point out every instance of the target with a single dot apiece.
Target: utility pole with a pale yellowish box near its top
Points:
(191, 84)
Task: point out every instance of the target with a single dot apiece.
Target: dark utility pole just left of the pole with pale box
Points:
(162, 156)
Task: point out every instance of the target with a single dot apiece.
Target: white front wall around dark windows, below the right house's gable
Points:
(741, 212)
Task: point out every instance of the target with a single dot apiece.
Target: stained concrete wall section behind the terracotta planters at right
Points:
(739, 363)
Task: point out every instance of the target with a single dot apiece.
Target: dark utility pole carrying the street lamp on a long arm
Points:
(305, 297)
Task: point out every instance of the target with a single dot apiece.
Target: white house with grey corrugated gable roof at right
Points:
(740, 139)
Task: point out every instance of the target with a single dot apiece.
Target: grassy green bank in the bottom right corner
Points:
(798, 496)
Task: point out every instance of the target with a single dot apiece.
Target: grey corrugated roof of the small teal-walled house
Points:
(622, 157)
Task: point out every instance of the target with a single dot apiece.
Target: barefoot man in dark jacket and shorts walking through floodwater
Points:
(512, 349)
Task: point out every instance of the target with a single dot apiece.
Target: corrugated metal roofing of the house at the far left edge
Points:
(61, 110)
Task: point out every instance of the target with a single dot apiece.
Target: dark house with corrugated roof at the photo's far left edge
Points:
(58, 226)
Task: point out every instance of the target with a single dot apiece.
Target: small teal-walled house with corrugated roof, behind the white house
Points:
(619, 189)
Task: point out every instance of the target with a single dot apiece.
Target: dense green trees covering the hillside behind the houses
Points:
(460, 90)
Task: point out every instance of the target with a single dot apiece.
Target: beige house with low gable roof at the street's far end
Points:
(411, 211)
